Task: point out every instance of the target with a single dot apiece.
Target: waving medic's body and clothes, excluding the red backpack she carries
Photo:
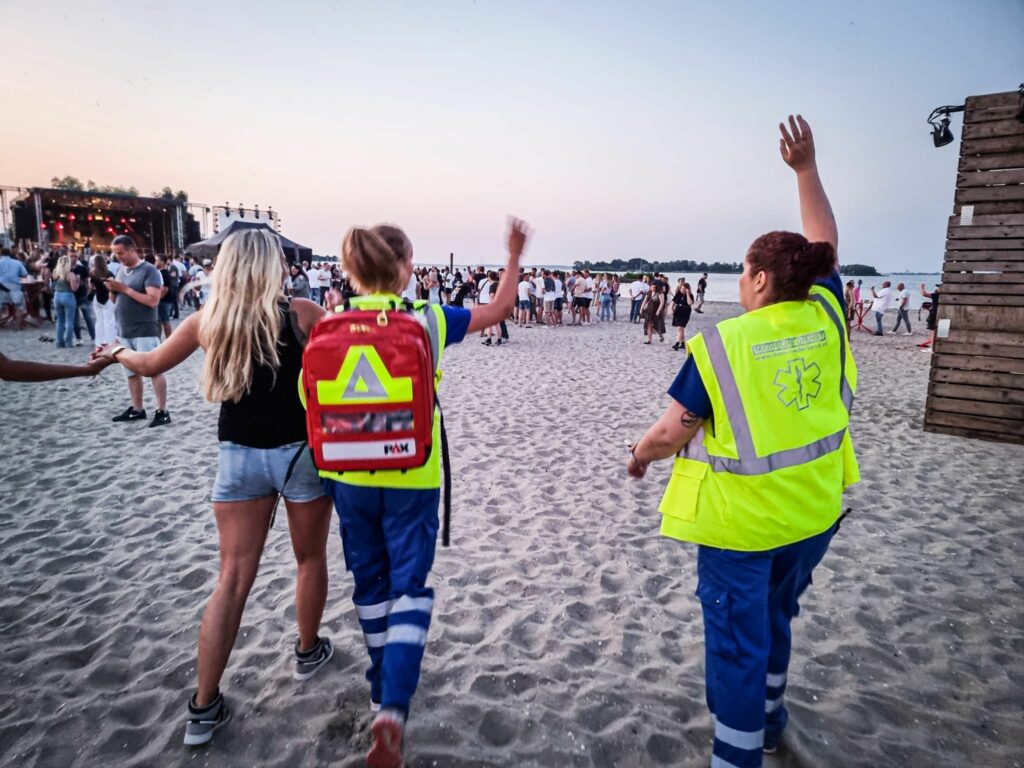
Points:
(390, 518)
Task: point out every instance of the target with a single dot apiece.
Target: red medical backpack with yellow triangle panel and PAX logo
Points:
(368, 377)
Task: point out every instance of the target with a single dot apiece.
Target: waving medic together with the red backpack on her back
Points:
(376, 433)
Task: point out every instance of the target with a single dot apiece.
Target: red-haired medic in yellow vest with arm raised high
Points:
(759, 428)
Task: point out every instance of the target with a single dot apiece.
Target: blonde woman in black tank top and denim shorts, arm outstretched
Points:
(253, 338)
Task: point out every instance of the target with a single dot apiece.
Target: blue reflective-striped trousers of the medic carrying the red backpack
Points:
(389, 537)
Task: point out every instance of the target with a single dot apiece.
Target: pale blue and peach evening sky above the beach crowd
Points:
(618, 131)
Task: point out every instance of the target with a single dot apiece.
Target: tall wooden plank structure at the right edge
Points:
(976, 388)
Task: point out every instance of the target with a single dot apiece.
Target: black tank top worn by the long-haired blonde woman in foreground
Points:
(271, 414)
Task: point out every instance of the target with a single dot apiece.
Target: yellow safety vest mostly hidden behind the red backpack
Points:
(430, 476)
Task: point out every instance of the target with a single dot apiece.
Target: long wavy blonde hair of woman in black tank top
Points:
(241, 322)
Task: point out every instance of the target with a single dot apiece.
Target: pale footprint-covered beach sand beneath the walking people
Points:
(566, 630)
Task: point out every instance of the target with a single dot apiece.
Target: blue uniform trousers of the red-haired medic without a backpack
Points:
(749, 601)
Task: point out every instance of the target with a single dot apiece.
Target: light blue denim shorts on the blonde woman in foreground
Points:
(245, 474)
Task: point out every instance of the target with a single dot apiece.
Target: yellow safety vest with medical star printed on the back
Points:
(771, 465)
